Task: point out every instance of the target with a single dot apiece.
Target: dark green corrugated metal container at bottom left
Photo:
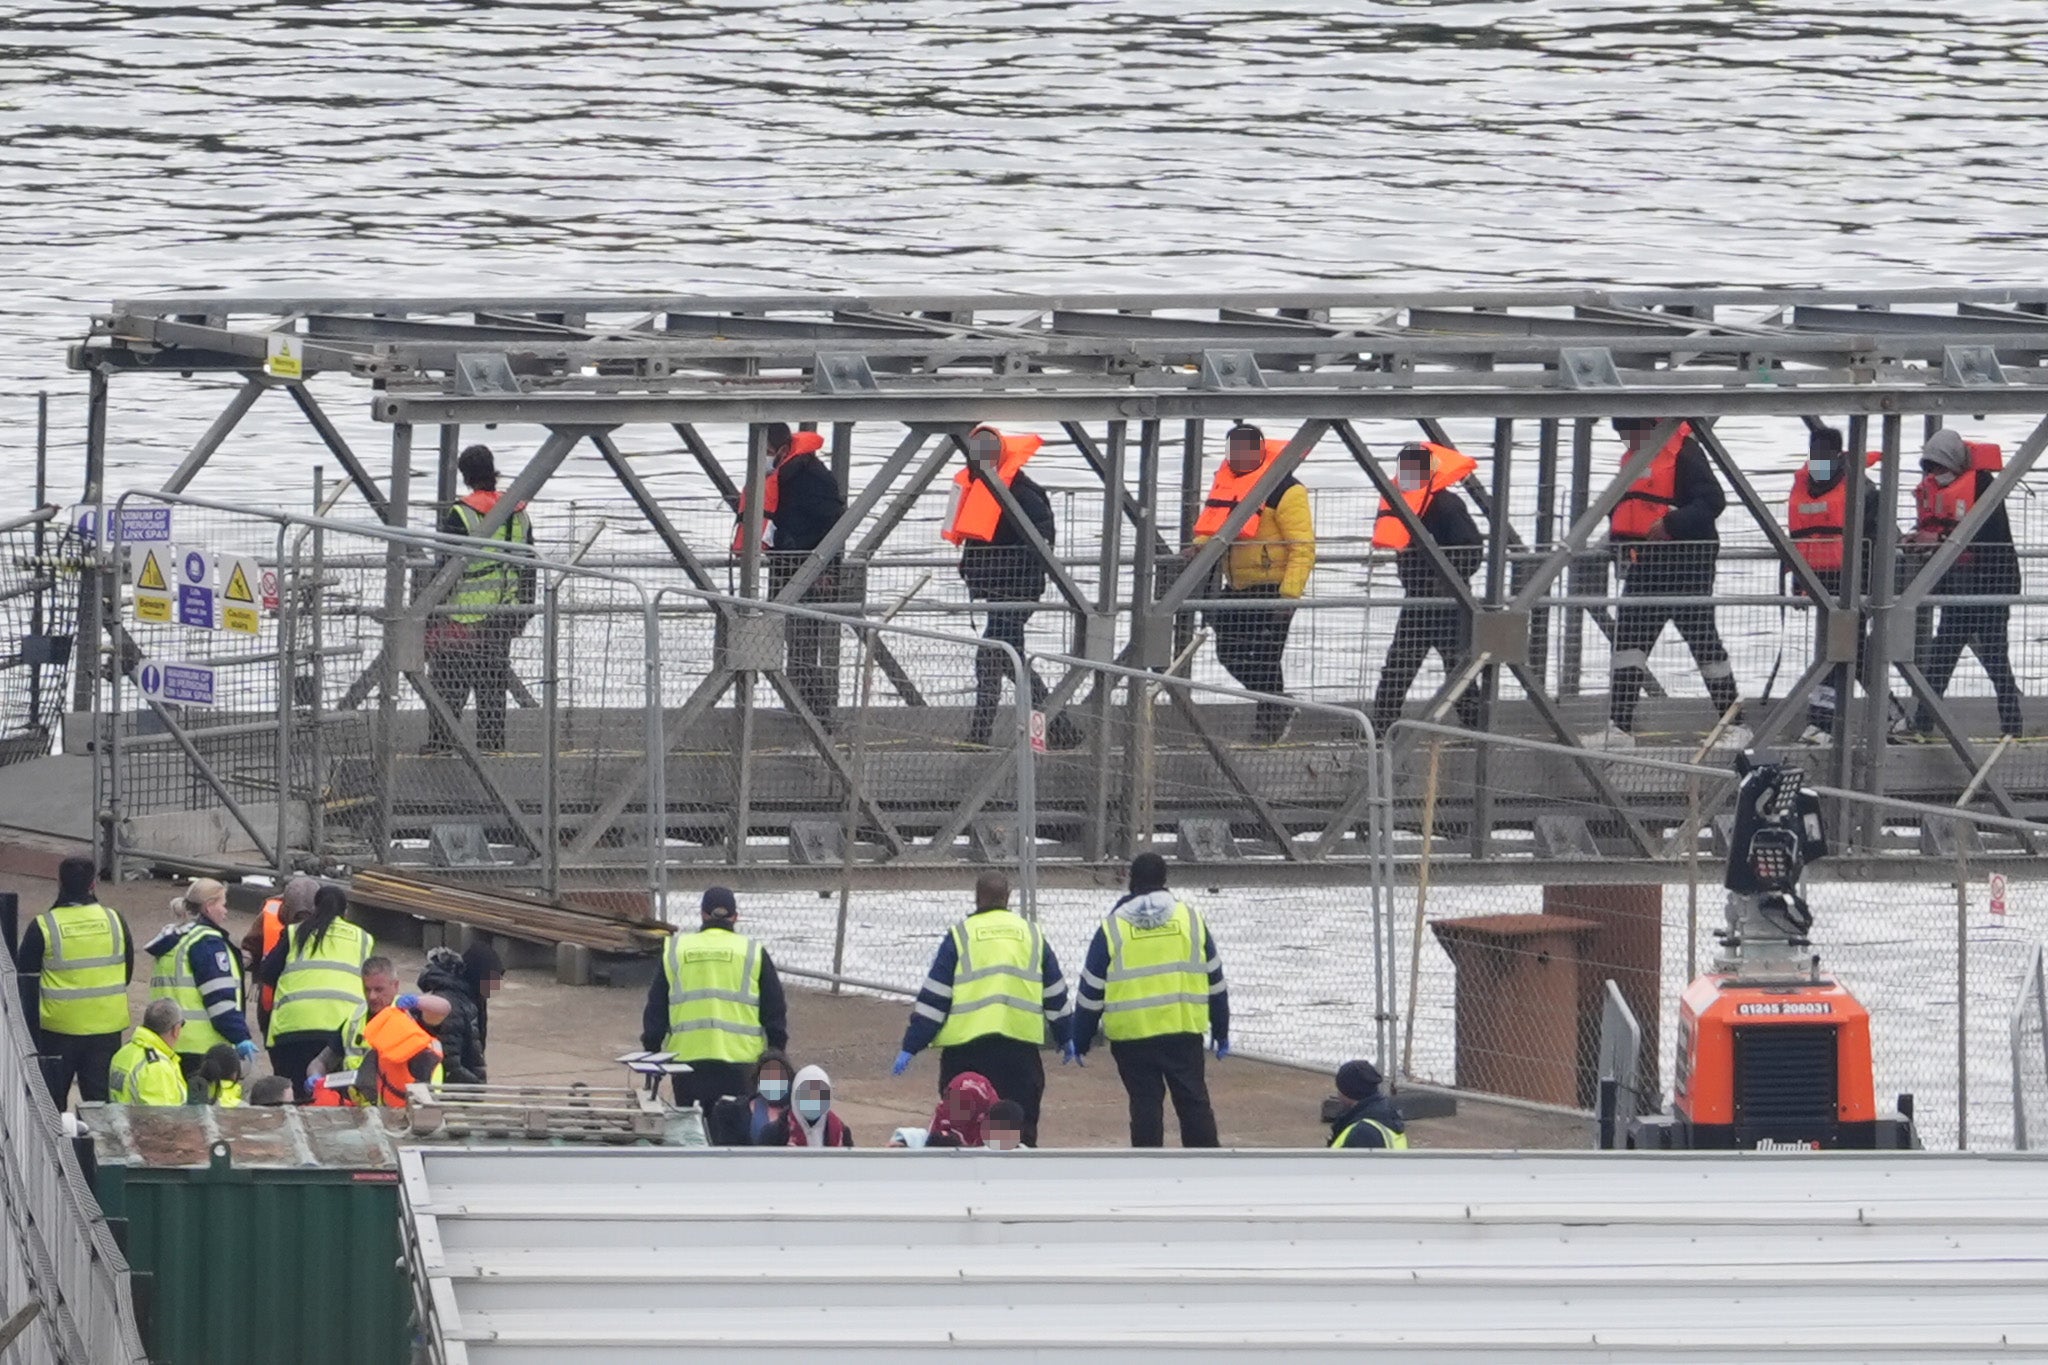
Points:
(257, 1237)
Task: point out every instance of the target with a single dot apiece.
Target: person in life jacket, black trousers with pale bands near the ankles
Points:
(1666, 543)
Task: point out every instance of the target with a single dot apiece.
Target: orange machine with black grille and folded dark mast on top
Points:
(1770, 1053)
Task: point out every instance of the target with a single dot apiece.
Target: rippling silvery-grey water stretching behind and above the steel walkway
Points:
(646, 144)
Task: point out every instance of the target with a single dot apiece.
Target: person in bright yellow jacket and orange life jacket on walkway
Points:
(1267, 568)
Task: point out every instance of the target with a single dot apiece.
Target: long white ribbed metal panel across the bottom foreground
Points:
(660, 1256)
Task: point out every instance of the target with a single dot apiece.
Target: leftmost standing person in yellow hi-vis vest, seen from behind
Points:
(75, 965)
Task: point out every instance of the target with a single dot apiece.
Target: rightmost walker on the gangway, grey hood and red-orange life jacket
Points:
(1953, 478)
